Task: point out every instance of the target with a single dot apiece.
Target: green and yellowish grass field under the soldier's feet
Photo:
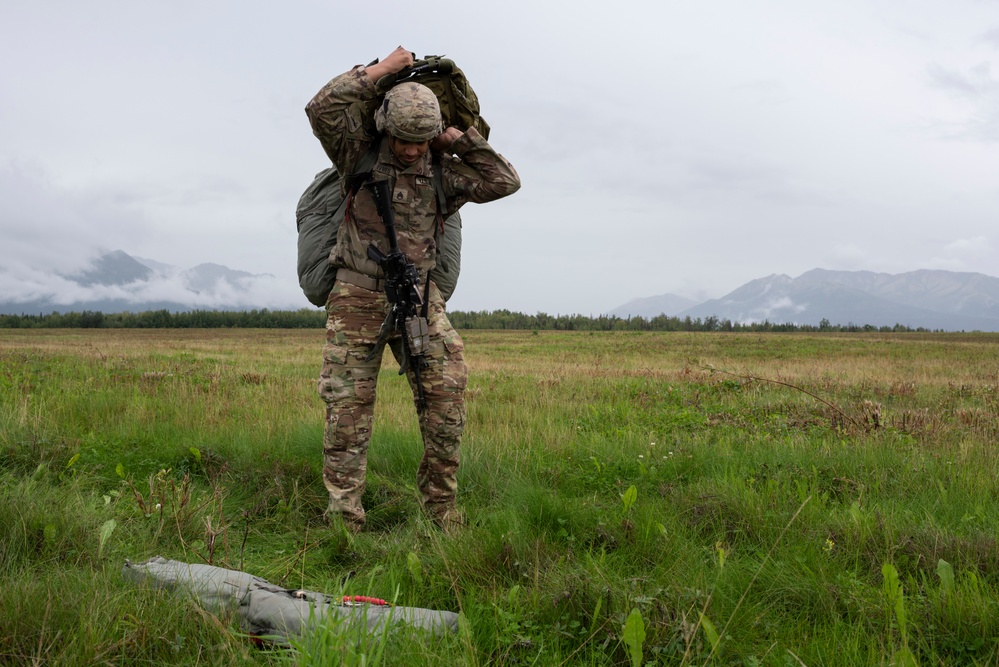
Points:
(632, 498)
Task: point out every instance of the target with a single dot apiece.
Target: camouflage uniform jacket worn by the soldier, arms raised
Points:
(341, 117)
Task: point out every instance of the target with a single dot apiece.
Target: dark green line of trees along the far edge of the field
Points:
(307, 318)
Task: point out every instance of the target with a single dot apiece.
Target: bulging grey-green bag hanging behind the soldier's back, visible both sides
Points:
(319, 215)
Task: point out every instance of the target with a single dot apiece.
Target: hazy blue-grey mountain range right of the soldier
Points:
(946, 300)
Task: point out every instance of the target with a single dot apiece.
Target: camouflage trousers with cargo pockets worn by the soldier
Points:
(347, 384)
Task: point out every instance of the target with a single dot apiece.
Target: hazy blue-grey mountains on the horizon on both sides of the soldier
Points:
(944, 300)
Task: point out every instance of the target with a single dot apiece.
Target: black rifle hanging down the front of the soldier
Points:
(402, 288)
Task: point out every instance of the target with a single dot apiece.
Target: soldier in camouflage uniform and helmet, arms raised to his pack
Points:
(409, 119)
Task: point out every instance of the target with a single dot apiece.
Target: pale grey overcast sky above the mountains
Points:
(664, 147)
